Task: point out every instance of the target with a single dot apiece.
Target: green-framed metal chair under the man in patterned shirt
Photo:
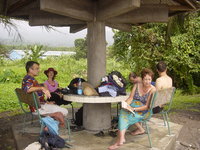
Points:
(32, 100)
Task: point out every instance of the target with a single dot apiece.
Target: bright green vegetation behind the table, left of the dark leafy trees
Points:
(12, 72)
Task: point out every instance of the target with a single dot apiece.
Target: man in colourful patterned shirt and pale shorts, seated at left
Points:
(30, 84)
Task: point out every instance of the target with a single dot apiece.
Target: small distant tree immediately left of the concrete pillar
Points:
(80, 48)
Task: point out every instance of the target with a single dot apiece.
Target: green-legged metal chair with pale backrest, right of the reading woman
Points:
(159, 98)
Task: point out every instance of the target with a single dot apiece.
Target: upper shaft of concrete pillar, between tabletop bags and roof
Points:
(96, 56)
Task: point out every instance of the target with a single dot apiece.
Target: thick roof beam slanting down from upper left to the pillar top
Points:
(67, 8)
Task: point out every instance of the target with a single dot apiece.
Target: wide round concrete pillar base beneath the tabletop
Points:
(97, 117)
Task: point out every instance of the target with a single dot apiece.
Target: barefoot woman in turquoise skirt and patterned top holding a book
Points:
(139, 101)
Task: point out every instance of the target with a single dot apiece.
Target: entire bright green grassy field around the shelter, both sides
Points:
(11, 74)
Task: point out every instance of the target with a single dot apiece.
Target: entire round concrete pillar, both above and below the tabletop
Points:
(96, 117)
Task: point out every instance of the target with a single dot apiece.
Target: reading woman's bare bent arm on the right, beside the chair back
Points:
(145, 107)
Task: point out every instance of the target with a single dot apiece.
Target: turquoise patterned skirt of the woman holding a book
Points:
(126, 118)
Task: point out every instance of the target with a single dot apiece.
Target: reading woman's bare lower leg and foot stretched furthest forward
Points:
(120, 140)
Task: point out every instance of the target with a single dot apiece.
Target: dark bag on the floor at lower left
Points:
(51, 141)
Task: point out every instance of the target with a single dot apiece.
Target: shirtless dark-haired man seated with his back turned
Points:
(163, 82)
